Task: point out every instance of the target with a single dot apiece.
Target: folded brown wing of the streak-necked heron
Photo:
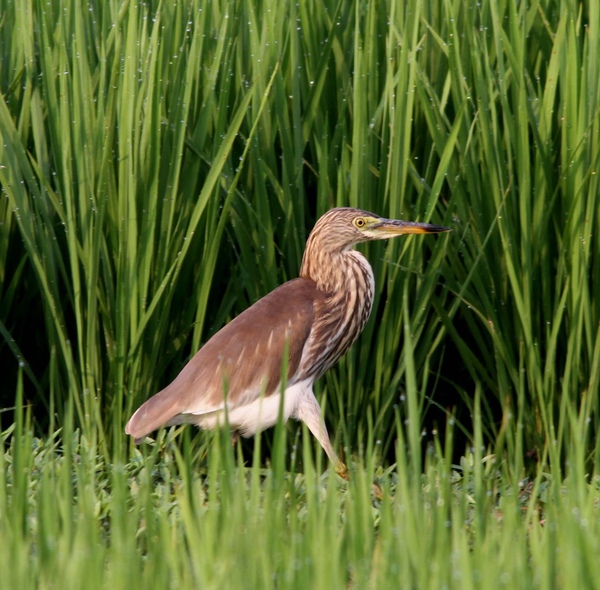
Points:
(244, 358)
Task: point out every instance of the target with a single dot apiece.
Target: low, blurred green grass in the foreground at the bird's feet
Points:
(191, 515)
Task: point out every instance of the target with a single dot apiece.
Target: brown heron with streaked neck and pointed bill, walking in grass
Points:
(303, 326)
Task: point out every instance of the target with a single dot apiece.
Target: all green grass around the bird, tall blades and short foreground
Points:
(161, 165)
